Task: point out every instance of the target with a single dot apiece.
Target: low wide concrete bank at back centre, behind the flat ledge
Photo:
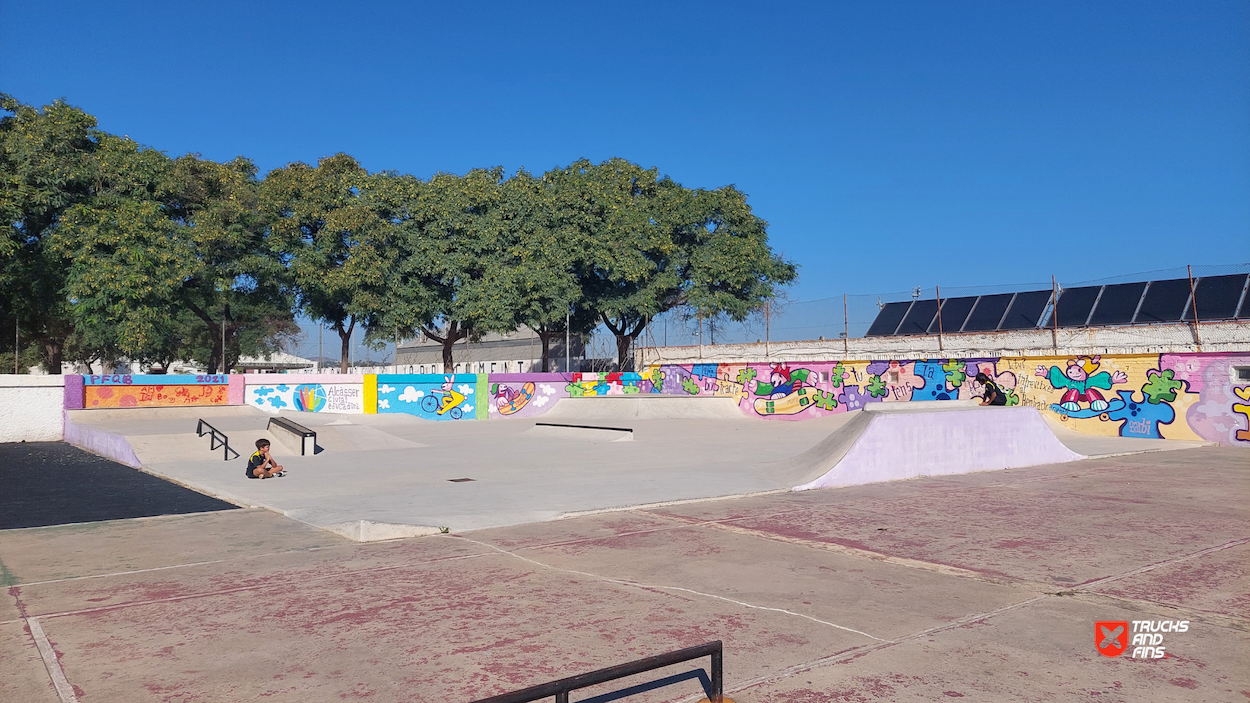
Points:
(646, 408)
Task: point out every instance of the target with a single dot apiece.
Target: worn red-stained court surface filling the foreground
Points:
(981, 587)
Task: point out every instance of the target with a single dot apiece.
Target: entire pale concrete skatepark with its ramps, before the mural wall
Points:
(383, 477)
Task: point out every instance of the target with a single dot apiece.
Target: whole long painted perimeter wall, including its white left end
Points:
(1192, 397)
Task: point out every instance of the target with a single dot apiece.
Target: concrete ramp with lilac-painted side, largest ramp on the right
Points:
(884, 443)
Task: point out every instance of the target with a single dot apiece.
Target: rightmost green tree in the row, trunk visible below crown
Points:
(652, 246)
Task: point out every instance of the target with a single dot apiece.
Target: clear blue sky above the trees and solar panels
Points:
(888, 144)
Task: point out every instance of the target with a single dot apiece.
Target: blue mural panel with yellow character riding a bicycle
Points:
(434, 397)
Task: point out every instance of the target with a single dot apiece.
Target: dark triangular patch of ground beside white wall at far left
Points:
(52, 483)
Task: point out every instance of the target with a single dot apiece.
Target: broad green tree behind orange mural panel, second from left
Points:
(169, 260)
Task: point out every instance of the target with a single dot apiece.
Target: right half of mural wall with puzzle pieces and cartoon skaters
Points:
(1151, 396)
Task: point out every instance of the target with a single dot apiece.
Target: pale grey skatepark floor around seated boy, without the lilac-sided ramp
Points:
(388, 476)
